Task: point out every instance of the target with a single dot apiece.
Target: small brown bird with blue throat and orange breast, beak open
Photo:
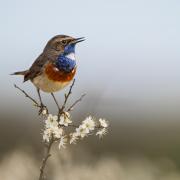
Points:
(55, 67)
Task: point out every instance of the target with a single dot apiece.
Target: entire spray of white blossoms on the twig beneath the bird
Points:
(53, 129)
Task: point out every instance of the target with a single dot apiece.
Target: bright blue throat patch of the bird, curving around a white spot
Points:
(65, 63)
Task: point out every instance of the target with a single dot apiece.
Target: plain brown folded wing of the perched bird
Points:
(37, 67)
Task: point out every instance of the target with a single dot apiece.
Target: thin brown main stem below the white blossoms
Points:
(44, 161)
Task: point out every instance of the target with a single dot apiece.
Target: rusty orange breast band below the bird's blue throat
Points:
(55, 74)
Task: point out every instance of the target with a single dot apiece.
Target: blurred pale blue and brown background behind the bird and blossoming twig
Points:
(129, 68)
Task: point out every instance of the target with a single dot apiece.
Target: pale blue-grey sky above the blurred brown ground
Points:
(131, 54)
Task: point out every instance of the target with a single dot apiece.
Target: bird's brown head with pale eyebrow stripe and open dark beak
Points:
(62, 44)
